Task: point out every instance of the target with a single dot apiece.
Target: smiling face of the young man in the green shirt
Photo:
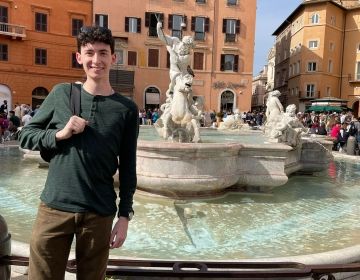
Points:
(96, 60)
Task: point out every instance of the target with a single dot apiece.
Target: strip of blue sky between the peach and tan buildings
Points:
(270, 15)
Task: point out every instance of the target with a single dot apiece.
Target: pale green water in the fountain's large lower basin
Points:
(310, 214)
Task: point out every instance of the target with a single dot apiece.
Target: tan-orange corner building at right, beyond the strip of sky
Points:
(318, 53)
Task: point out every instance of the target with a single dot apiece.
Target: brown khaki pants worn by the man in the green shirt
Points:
(51, 240)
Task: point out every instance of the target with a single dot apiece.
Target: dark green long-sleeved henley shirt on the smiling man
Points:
(80, 176)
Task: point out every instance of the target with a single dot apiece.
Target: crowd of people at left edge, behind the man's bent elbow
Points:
(12, 120)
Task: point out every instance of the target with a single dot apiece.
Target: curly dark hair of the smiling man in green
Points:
(92, 34)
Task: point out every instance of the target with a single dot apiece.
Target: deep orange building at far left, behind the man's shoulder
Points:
(37, 46)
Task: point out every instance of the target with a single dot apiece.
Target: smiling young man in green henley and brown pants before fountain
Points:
(79, 197)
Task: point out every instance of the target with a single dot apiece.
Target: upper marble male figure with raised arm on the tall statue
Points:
(180, 58)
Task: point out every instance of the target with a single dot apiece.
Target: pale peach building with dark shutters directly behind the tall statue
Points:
(224, 33)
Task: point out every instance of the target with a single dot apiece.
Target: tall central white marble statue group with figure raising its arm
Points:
(180, 121)
